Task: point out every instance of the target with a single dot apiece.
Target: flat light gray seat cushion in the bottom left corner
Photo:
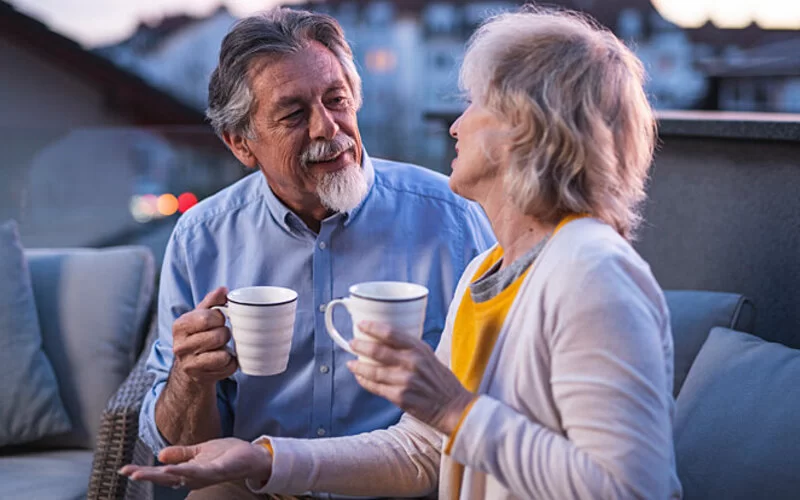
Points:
(48, 475)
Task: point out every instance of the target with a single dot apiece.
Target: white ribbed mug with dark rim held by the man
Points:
(262, 326)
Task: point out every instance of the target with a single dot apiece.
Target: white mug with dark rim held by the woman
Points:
(398, 304)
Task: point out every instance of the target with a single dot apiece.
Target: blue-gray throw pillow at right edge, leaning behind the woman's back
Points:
(737, 421)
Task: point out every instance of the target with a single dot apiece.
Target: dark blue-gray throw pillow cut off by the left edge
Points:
(30, 405)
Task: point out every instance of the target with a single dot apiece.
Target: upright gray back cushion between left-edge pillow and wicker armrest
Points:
(93, 307)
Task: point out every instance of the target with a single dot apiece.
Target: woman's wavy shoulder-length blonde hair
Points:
(582, 130)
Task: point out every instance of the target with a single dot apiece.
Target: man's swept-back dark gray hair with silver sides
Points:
(274, 32)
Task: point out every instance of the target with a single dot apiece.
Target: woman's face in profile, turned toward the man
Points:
(481, 153)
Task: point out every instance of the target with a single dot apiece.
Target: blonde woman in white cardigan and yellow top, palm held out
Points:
(553, 377)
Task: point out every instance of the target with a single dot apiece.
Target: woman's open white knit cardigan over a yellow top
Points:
(576, 401)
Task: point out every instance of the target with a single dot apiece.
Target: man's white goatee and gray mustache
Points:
(339, 191)
